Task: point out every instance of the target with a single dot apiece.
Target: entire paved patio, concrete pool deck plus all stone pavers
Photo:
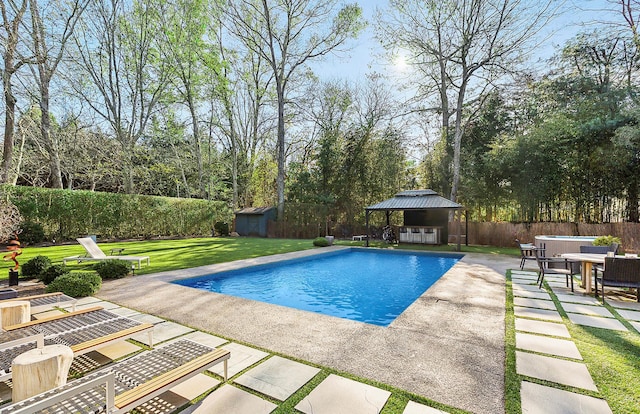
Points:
(448, 346)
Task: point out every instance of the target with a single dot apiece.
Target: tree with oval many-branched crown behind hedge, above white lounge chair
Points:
(124, 77)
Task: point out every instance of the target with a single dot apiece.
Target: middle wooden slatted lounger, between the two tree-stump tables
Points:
(83, 331)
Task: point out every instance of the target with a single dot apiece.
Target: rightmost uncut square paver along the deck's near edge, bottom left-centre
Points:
(277, 377)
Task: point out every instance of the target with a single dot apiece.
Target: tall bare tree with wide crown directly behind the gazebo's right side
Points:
(461, 48)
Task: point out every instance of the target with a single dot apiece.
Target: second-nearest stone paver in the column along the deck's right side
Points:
(570, 373)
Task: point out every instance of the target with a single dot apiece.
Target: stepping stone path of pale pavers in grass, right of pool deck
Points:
(545, 351)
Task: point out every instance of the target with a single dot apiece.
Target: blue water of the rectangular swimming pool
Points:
(362, 285)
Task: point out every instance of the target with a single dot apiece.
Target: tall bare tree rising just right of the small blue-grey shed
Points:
(287, 34)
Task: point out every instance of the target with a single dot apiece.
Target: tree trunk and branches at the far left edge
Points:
(12, 15)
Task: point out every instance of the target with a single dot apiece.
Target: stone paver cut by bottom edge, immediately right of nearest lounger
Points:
(229, 399)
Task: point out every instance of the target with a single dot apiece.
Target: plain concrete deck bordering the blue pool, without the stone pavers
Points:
(447, 346)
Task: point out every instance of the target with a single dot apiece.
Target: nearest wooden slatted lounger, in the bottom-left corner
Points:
(129, 383)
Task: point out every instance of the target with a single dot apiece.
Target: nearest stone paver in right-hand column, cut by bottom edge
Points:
(540, 399)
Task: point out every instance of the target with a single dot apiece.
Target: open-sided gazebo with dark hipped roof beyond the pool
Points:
(425, 214)
